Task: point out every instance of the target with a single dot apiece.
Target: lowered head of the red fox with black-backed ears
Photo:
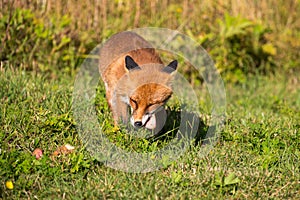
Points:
(148, 88)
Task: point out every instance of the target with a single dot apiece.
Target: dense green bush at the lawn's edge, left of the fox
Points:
(32, 44)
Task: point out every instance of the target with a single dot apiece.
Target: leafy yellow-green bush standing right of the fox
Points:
(241, 48)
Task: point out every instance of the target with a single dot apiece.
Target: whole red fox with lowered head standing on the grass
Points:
(135, 78)
